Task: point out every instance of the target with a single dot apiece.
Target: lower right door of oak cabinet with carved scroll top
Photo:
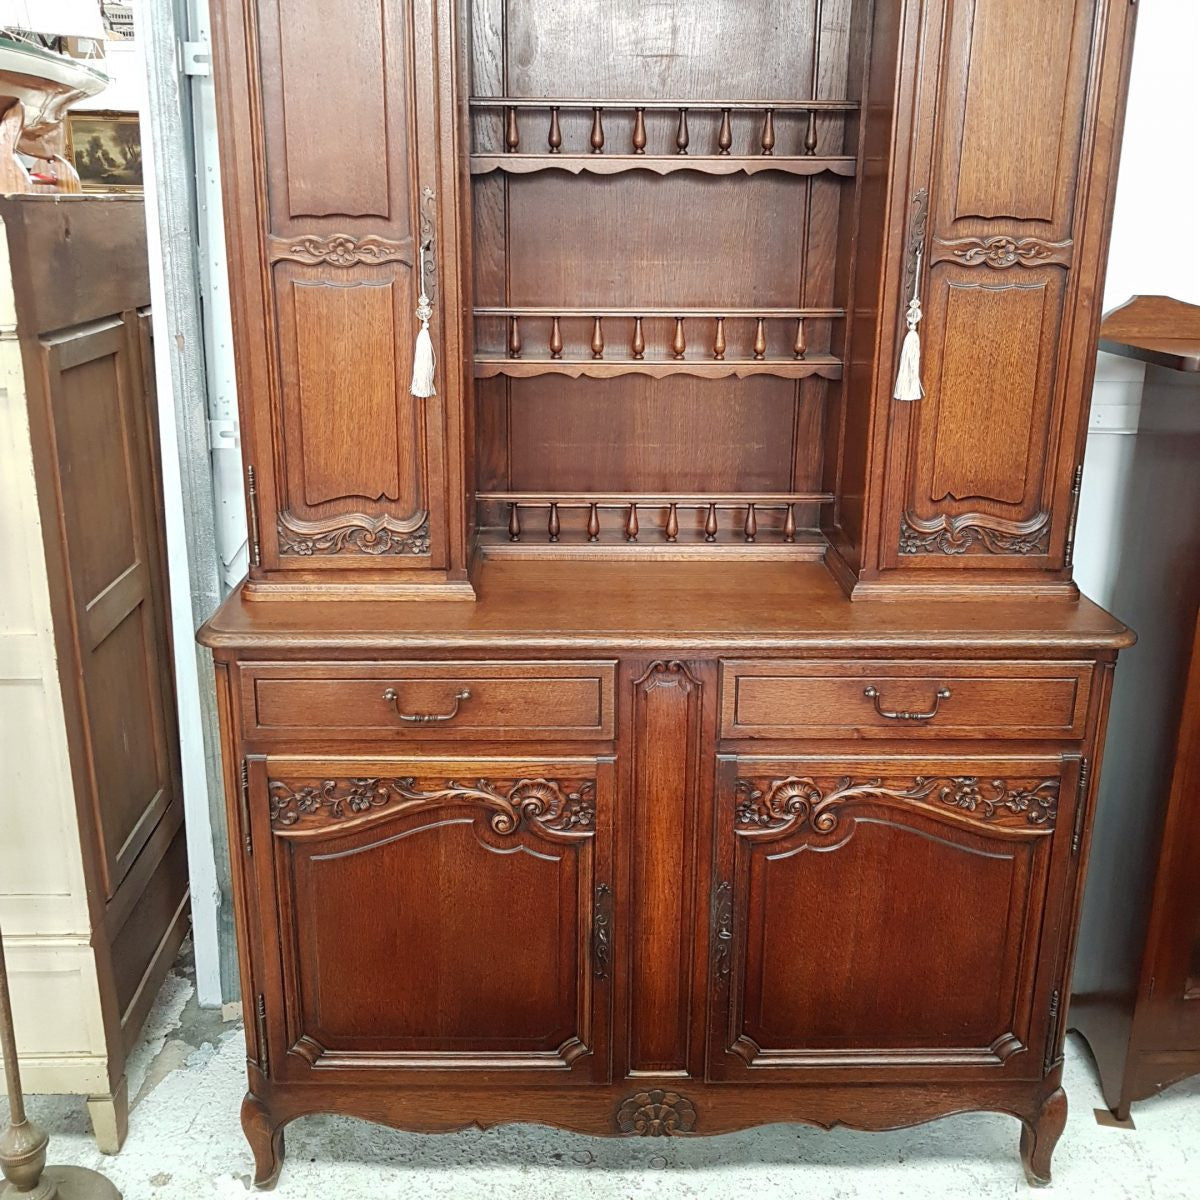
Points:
(897, 915)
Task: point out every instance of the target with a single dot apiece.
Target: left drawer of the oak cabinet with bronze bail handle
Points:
(453, 701)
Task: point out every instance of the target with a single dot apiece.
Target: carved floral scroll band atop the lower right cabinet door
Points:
(787, 805)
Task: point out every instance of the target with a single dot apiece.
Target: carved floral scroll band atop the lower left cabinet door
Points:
(542, 803)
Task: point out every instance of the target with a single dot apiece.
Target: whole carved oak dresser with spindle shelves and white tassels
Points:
(659, 703)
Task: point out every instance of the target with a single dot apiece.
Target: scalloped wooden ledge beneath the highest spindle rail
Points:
(663, 165)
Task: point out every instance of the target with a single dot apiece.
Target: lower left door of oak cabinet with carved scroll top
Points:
(434, 915)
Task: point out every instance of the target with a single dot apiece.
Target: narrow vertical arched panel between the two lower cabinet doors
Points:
(663, 823)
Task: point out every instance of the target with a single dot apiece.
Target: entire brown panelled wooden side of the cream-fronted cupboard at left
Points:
(82, 286)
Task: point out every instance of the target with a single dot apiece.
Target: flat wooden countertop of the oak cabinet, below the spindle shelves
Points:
(687, 608)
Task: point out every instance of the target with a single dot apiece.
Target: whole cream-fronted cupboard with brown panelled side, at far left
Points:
(93, 880)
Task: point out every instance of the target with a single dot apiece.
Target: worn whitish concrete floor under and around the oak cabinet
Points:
(188, 1078)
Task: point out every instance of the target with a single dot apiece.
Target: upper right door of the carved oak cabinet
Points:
(1017, 110)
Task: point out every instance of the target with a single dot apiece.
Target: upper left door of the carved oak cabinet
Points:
(331, 145)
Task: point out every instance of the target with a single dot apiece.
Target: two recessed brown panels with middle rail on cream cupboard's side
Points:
(104, 476)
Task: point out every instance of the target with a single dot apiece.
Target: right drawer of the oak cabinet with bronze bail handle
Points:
(771, 699)
